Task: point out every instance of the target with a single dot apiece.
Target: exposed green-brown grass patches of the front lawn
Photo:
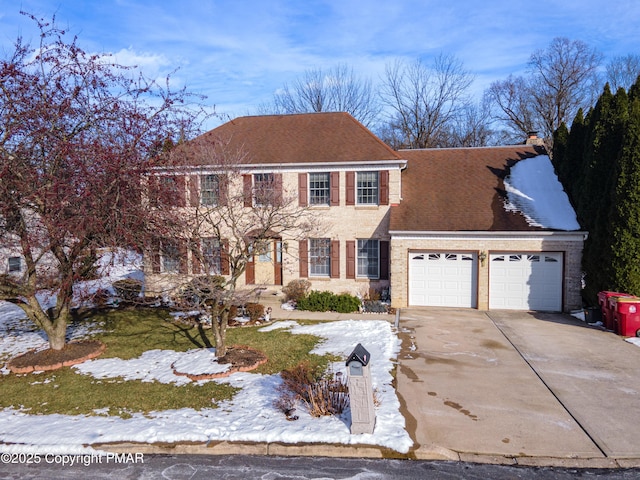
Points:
(129, 332)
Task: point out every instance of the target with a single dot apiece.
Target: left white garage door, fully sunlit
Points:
(442, 279)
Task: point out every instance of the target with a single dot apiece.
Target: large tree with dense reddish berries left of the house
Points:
(76, 134)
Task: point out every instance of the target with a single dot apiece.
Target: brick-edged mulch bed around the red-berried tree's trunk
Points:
(42, 360)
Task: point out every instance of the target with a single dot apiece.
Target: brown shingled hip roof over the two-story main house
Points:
(300, 138)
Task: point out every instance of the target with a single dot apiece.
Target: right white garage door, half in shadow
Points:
(521, 281)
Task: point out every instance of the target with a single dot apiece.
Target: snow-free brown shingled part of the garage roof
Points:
(458, 189)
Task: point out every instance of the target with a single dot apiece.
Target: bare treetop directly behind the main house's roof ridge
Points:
(335, 90)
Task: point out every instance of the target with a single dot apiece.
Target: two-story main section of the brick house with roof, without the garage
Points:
(346, 177)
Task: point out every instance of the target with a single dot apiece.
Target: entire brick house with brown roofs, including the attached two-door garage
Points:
(433, 227)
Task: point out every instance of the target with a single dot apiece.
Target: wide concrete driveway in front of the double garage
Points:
(508, 385)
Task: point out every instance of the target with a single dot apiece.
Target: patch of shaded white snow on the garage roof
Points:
(534, 190)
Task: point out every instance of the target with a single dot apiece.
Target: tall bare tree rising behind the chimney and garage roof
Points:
(560, 80)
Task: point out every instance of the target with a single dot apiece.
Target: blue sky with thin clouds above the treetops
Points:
(239, 52)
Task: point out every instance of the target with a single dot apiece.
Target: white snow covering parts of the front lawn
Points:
(249, 416)
